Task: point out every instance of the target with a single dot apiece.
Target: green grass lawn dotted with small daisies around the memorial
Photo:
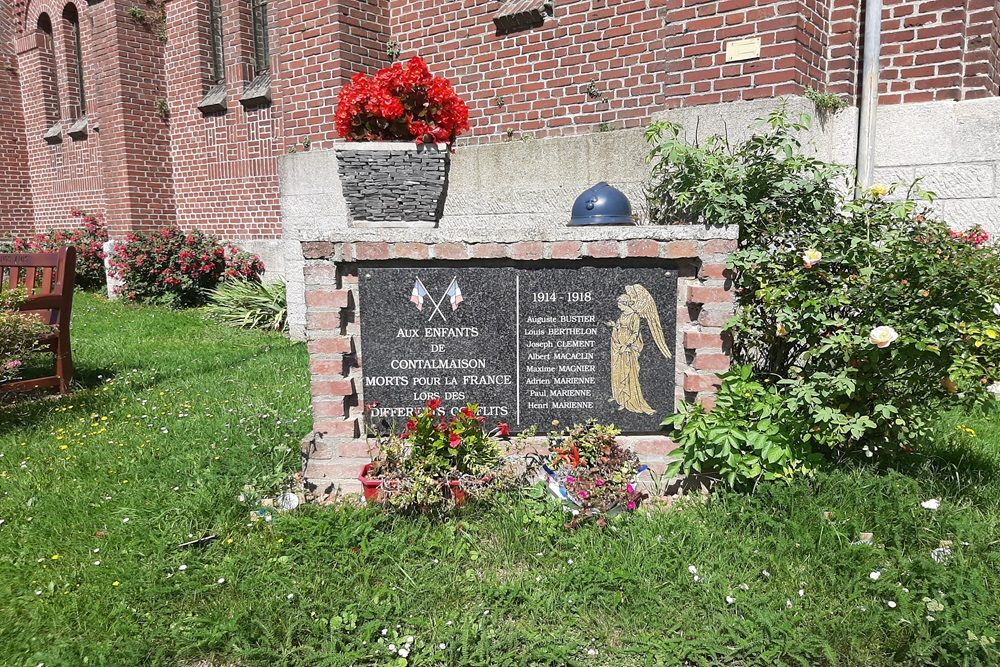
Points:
(176, 415)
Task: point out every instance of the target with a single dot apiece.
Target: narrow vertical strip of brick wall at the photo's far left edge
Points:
(15, 195)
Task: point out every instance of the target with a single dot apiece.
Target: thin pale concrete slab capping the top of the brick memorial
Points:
(490, 235)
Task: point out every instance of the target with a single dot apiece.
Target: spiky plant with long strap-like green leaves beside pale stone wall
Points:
(251, 304)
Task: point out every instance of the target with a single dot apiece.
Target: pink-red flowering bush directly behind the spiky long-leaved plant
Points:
(177, 268)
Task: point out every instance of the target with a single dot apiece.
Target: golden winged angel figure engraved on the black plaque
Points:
(636, 304)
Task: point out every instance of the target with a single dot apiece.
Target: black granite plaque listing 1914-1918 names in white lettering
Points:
(529, 345)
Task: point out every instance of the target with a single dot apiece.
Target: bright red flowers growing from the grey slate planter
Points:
(401, 103)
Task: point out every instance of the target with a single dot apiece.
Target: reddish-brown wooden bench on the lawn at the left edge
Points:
(48, 278)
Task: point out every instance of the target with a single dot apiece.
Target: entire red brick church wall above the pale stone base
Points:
(219, 172)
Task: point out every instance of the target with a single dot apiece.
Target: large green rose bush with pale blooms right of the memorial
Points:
(866, 314)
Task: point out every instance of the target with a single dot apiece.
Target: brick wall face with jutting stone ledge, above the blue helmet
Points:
(542, 75)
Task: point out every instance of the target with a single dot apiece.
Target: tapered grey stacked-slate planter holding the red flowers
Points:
(393, 184)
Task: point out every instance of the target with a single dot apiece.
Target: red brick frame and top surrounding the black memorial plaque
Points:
(338, 448)
